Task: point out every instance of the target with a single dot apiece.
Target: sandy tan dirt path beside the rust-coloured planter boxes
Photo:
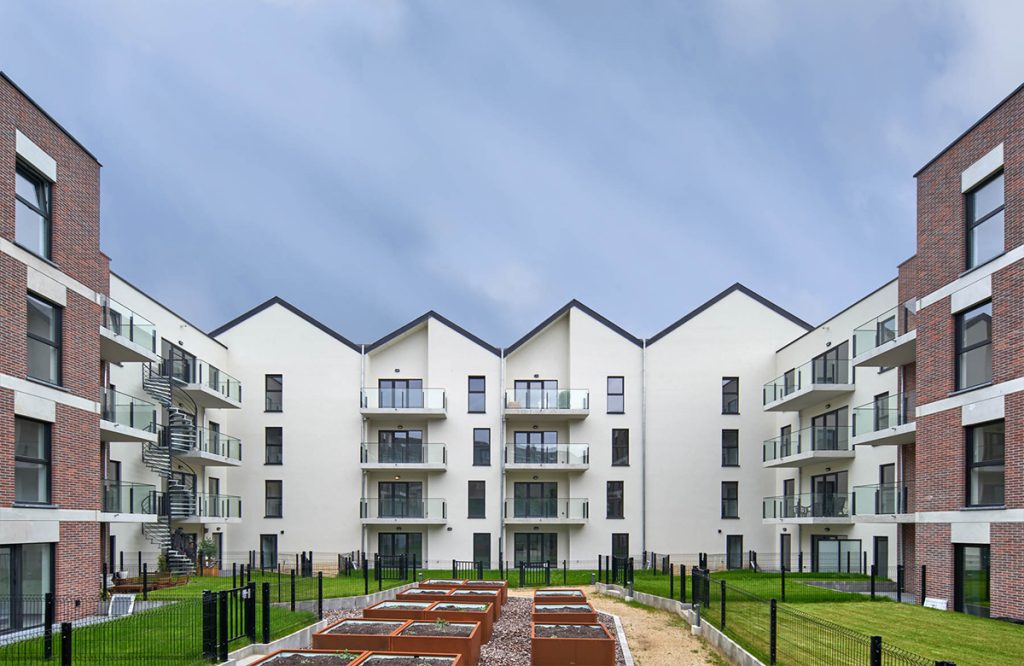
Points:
(656, 638)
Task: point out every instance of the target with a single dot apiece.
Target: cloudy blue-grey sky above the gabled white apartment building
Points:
(370, 161)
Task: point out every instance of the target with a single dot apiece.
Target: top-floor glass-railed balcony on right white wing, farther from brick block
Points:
(814, 383)
